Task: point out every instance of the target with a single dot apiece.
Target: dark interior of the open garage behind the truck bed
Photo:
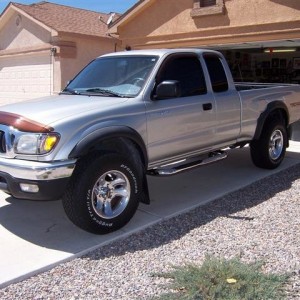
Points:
(269, 62)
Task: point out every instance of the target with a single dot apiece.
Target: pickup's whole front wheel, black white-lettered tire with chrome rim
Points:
(103, 194)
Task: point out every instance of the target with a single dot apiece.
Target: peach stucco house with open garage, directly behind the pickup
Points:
(260, 38)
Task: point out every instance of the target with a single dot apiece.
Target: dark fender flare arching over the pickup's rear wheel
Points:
(271, 107)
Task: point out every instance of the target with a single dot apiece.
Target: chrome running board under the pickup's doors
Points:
(172, 169)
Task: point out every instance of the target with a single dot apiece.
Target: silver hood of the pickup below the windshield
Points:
(49, 110)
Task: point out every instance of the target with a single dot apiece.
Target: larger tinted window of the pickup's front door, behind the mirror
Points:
(187, 70)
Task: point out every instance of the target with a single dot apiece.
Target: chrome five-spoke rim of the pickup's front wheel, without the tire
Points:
(111, 194)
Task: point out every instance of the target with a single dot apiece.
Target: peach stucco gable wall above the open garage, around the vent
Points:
(169, 23)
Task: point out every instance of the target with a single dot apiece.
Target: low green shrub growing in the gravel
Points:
(223, 279)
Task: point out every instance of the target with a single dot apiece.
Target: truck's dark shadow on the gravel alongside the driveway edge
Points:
(231, 206)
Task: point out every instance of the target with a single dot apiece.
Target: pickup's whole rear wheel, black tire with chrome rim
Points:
(269, 150)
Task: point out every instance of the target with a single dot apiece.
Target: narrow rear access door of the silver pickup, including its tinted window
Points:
(228, 104)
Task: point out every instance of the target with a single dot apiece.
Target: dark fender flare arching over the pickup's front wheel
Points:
(83, 146)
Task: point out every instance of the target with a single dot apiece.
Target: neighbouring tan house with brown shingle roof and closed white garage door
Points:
(44, 45)
